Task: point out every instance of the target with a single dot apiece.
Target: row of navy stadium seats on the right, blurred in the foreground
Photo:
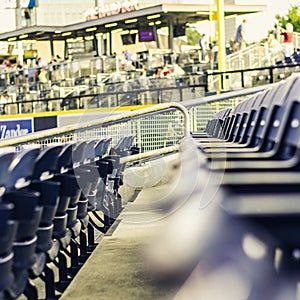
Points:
(255, 147)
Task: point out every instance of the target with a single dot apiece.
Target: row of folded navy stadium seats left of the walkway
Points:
(52, 202)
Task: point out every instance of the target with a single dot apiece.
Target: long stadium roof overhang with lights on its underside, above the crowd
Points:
(160, 15)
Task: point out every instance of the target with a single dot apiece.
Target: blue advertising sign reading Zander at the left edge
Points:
(13, 128)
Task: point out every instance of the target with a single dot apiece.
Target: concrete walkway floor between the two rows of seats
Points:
(115, 270)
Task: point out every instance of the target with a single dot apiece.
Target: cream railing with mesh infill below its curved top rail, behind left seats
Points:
(155, 129)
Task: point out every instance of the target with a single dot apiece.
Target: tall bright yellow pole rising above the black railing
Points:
(221, 36)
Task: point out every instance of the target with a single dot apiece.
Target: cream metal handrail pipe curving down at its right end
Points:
(103, 121)
